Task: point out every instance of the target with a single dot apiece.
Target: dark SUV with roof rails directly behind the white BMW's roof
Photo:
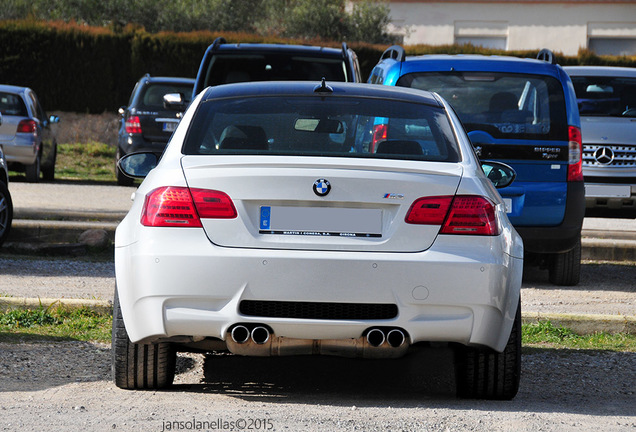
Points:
(225, 63)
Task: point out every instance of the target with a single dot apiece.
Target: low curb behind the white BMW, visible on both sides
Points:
(579, 324)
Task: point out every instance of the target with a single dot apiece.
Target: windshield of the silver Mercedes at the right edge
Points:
(605, 96)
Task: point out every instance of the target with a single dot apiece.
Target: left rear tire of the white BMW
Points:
(139, 366)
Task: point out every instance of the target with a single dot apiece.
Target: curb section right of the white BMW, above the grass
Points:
(585, 324)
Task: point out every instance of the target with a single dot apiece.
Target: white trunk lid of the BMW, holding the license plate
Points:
(363, 210)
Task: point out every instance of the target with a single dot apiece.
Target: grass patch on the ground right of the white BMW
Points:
(544, 334)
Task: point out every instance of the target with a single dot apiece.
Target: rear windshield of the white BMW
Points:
(322, 126)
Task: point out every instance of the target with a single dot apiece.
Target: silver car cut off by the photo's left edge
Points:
(26, 135)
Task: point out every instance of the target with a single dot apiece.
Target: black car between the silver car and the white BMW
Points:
(146, 123)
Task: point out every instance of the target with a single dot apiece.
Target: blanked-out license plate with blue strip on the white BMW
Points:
(321, 221)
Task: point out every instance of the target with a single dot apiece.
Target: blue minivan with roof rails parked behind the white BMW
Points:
(522, 112)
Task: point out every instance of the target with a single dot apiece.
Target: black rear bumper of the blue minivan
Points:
(563, 237)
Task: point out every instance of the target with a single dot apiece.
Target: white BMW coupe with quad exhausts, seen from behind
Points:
(272, 227)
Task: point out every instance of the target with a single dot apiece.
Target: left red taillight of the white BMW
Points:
(172, 206)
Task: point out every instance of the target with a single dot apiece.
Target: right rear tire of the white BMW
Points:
(483, 373)
